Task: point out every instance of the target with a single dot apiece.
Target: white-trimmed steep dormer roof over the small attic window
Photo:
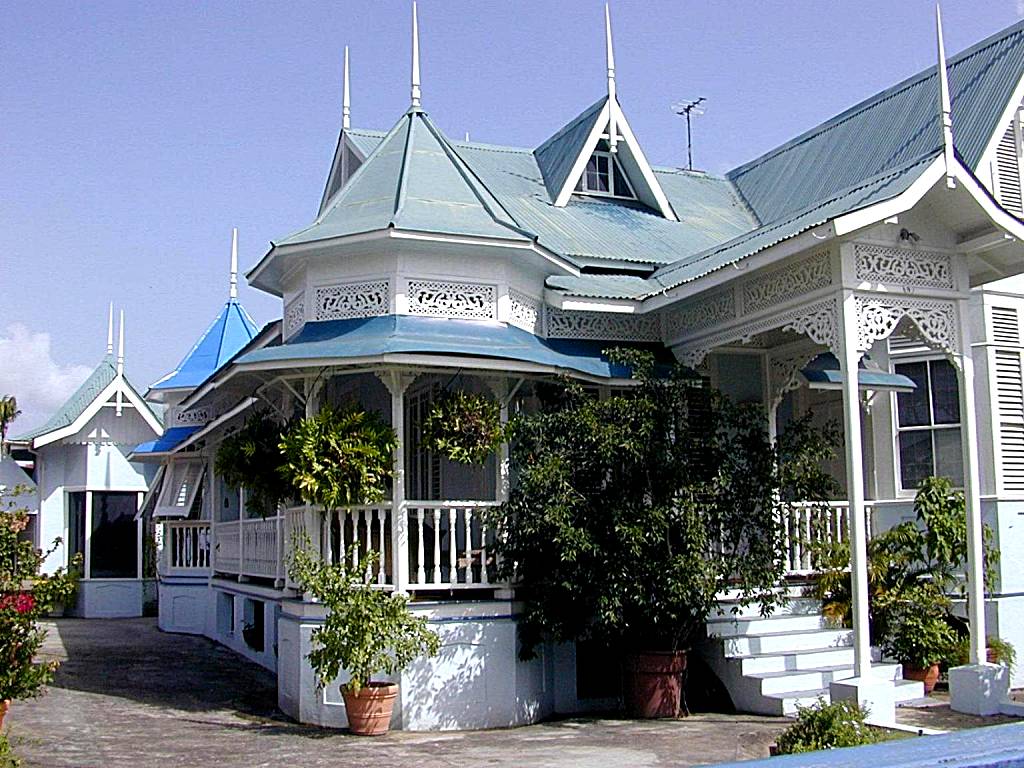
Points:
(564, 158)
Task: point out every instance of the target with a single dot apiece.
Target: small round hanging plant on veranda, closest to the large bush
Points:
(463, 428)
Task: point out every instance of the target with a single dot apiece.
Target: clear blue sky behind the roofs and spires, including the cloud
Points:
(135, 136)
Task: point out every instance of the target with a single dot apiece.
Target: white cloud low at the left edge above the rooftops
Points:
(29, 372)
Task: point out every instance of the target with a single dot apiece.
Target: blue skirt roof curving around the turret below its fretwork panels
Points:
(403, 334)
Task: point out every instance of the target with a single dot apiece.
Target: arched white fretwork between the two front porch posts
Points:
(878, 317)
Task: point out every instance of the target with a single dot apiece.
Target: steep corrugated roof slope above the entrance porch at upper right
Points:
(889, 131)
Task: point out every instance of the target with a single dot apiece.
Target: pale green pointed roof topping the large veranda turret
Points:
(414, 181)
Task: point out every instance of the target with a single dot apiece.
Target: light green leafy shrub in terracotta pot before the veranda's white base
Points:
(367, 632)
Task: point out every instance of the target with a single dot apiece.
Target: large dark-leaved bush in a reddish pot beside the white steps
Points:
(629, 517)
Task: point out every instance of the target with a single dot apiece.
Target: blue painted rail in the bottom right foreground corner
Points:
(991, 747)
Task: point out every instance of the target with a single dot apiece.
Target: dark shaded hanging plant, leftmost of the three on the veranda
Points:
(251, 459)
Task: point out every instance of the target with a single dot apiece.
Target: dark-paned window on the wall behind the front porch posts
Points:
(928, 423)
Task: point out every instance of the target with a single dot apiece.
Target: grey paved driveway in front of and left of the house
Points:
(130, 696)
